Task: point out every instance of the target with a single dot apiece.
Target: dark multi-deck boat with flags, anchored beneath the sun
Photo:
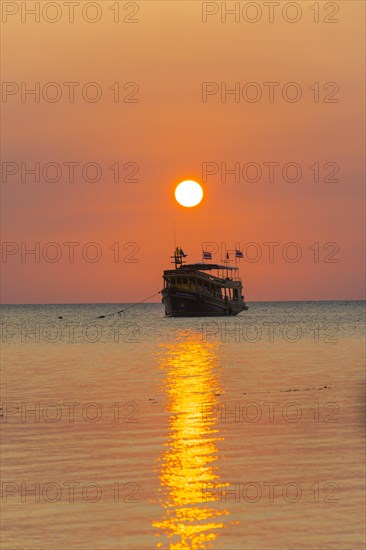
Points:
(201, 289)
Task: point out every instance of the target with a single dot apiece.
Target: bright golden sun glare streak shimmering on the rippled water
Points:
(193, 517)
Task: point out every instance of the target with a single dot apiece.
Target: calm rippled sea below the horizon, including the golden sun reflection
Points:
(138, 431)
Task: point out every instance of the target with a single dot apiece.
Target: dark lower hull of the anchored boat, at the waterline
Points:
(191, 304)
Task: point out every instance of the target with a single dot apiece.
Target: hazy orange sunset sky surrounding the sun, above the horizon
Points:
(169, 133)
